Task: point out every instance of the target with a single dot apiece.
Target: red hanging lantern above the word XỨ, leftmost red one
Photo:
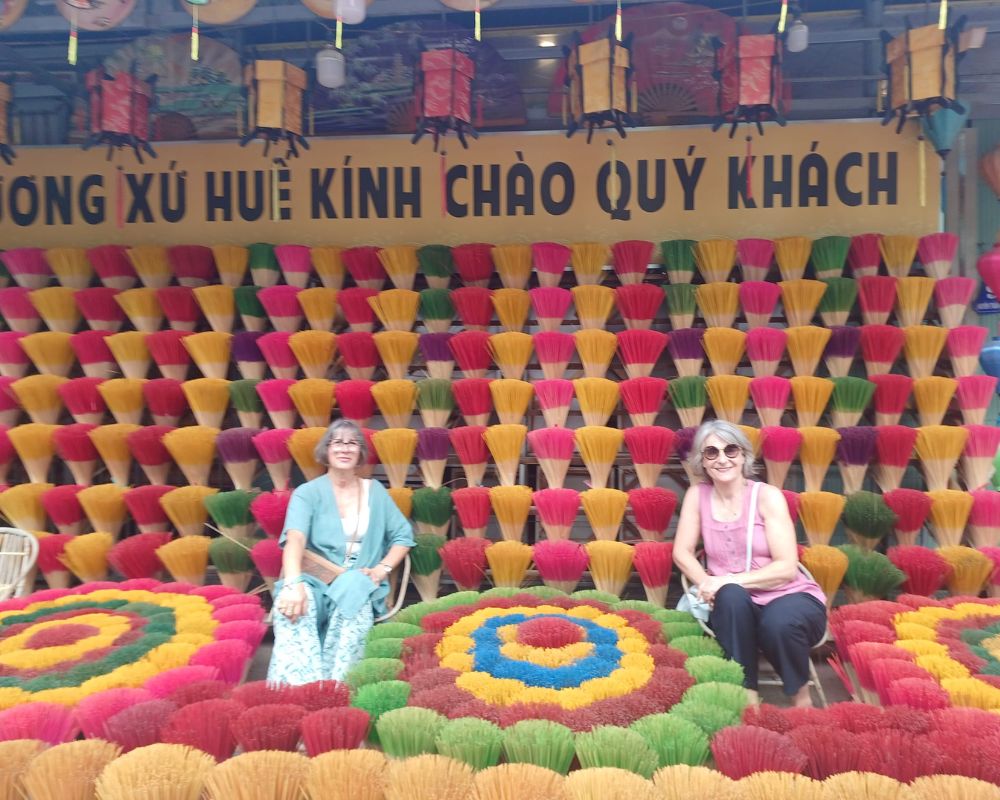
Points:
(119, 112)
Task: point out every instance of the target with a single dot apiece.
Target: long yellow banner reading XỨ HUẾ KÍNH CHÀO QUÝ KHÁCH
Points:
(813, 179)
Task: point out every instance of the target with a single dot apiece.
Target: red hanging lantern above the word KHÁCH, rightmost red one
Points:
(751, 84)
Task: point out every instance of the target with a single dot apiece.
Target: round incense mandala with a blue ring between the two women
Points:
(511, 656)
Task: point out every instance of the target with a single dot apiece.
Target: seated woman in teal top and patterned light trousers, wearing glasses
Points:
(343, 535)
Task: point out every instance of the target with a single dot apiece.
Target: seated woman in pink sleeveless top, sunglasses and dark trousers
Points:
(768, 606)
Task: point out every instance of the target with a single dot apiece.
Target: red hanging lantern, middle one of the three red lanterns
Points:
(443, 95)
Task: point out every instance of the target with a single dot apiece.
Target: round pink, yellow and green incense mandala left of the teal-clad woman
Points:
(60, 646)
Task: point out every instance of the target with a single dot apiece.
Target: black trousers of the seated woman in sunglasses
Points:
(784, 631)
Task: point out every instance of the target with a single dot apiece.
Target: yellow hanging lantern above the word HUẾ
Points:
(274, 104)
